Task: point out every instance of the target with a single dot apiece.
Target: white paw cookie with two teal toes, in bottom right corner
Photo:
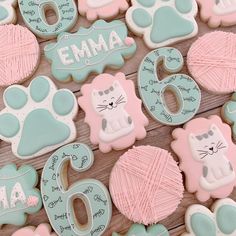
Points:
(221, 221)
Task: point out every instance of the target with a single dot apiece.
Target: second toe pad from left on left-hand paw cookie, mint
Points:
(15, 97)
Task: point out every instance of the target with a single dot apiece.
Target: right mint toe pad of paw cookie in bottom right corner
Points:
(226, 219)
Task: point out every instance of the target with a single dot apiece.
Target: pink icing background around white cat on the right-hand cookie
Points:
(193, 168)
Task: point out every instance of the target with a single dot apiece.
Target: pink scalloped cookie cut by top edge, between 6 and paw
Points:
(104, 9)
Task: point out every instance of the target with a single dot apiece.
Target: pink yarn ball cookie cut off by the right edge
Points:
(211, 61)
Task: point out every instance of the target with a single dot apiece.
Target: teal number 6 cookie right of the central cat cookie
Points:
(152, 89)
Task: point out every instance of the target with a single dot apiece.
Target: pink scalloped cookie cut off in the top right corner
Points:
(218, 12)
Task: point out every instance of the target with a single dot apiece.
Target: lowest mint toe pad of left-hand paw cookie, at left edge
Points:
(9, 125)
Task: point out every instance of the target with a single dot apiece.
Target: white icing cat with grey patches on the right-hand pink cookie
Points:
(211, 148)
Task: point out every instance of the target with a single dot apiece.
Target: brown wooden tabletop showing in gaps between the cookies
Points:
(158, 135)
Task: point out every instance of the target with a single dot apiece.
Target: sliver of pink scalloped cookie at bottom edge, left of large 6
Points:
(41, 230)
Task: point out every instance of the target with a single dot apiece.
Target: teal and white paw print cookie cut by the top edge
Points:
(163, 22)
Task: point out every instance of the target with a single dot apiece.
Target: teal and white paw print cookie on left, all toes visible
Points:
(37, 119)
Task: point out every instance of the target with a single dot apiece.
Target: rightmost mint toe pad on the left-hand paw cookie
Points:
(63, 102)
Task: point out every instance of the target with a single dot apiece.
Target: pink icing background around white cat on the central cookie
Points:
(132, 108)
